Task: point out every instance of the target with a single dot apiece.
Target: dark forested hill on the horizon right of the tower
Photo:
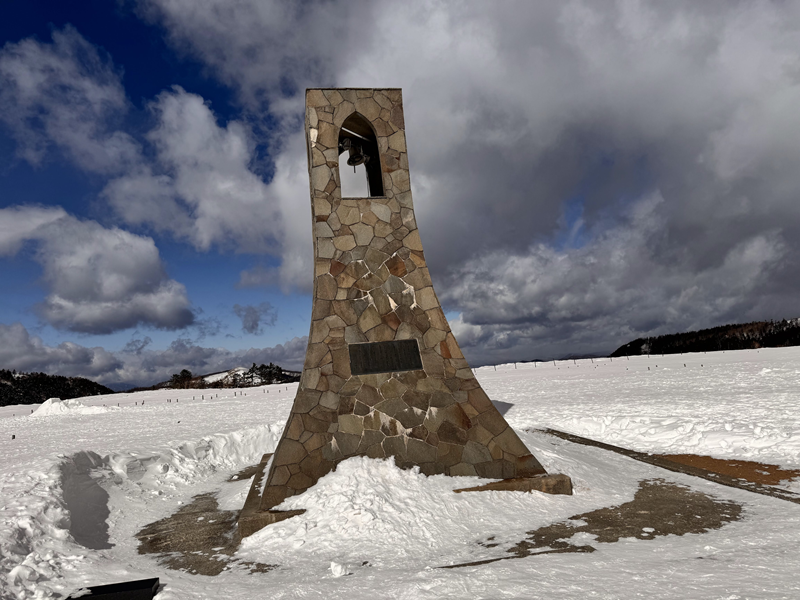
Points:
(759, 334)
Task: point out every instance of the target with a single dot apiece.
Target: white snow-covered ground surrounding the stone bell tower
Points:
(153, 451)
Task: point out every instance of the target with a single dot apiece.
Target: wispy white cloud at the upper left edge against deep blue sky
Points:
(68, 95)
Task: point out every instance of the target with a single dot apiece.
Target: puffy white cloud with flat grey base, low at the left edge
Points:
(100, 280)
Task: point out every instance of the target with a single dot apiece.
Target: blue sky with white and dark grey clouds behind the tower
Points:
(584, 172)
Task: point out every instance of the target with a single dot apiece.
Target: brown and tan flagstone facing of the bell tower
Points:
(372, 285)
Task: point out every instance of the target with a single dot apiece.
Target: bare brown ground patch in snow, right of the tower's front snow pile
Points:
(659, 508)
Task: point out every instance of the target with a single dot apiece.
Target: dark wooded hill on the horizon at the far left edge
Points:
(34, 388)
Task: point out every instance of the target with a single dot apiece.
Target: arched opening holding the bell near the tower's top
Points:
(360, 170)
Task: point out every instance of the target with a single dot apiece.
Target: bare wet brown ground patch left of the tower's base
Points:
(199, 538)
